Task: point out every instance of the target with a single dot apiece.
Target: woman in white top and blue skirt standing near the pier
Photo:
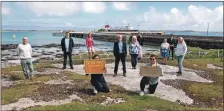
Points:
(164, 51)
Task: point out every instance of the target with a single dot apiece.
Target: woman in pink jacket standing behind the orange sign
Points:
(90, 45)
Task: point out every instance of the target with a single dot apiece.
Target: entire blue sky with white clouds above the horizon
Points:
(94, 15)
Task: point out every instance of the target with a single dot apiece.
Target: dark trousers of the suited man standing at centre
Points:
(117, 60)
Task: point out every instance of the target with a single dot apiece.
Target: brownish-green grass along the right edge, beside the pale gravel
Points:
(205, 91)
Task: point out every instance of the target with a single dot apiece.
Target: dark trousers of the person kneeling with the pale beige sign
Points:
(145, 81)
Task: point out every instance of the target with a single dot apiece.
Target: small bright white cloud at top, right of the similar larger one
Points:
(124, 6)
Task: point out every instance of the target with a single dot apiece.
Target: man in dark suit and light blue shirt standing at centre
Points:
(120, 53)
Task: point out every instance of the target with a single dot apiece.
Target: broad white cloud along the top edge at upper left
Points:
(52, 8)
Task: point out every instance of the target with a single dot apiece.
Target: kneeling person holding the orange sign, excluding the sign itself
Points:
(98, 82)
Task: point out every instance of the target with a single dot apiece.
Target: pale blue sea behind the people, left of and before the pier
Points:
(45, 37)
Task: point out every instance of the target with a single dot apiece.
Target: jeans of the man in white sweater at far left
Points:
(27, 63)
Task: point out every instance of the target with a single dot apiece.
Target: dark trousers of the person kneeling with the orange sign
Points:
(98, 81)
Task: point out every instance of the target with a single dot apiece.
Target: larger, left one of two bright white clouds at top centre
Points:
(94, 7)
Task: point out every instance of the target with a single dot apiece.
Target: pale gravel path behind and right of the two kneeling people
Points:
(163, 91)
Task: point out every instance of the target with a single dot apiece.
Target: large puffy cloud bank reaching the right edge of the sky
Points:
(195, 18)
